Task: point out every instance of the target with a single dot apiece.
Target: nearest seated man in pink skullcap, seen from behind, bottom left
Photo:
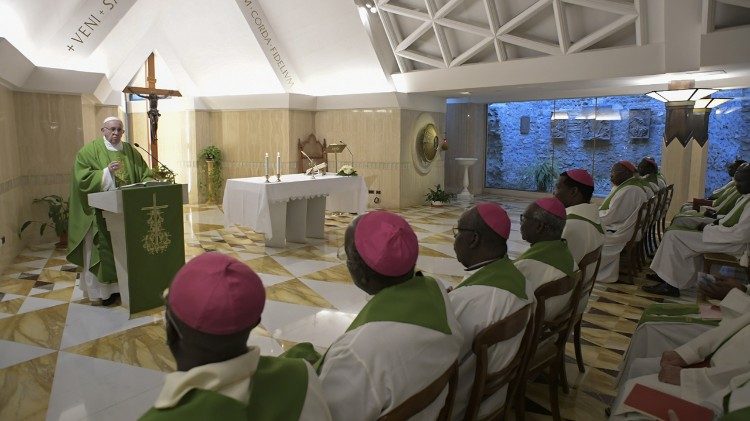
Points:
(211, 307)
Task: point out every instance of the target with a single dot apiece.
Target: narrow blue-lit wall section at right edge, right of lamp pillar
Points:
(728, 136)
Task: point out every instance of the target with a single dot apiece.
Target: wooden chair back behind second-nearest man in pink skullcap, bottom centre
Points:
(426, 396)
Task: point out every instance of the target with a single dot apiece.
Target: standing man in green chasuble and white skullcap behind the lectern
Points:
(101, 165)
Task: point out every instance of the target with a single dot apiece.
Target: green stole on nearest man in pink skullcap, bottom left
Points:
(278, 391)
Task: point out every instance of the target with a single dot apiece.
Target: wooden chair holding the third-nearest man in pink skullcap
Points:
(487, 384)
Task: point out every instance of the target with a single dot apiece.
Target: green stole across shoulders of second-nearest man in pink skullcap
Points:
(418, 301)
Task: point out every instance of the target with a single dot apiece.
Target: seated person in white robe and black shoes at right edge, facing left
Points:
(680, 254)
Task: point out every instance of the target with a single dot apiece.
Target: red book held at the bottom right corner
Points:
(656, 403)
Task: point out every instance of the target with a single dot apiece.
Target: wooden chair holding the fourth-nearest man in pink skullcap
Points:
(547, 347)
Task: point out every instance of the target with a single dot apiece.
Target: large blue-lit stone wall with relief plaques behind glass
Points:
(512, 155)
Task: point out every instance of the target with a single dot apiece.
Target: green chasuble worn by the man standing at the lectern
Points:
(87, 178)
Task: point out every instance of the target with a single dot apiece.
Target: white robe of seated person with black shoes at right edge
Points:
(680, 254)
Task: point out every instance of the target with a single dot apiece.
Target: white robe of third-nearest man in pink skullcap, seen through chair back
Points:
(476, 307)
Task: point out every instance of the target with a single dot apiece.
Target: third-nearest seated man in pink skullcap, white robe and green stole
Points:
(496, 290)
